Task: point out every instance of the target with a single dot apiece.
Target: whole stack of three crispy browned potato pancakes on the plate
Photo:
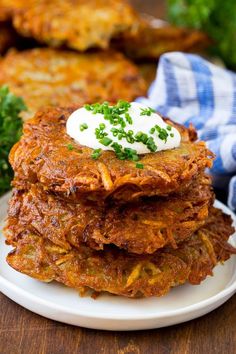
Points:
(107, 225)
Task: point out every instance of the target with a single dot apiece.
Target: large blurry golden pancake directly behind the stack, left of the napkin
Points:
(48, 77)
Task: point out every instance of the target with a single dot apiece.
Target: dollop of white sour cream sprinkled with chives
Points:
(141, 122)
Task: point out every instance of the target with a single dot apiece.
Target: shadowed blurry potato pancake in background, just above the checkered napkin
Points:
(151, 41)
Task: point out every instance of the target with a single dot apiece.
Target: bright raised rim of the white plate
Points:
(98, 315)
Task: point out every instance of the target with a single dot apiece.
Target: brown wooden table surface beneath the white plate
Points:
(22, 332)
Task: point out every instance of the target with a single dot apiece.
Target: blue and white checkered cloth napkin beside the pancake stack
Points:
(189, 89)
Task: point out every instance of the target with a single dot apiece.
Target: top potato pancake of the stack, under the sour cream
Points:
(43, 155)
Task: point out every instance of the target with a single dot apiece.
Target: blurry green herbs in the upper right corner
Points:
(216, 18)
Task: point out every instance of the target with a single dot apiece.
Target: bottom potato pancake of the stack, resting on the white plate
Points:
(118, 272)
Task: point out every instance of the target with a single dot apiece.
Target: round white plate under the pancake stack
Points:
(109, 312)
